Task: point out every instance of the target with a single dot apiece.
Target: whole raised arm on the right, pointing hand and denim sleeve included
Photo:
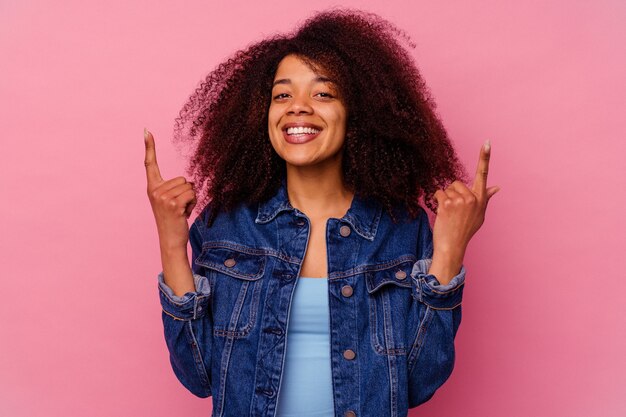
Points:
(439, 277)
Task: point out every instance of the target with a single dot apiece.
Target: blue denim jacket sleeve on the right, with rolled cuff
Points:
(432, 355)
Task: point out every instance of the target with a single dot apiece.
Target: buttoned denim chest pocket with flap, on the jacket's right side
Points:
(392, 315)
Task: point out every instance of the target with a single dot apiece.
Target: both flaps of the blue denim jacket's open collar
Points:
(363, 215)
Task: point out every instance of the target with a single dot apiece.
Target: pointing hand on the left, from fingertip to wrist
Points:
(172, 201)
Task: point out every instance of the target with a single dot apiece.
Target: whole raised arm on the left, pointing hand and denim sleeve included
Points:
(184, 293)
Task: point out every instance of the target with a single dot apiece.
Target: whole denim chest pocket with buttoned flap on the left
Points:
(236, 285)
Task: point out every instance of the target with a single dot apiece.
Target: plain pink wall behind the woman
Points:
(544, 331)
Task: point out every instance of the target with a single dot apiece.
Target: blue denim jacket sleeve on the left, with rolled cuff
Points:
(188, 324)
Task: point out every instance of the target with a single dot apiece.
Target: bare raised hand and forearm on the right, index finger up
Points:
(460, 213)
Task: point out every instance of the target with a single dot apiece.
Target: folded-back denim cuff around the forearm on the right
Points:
(428, 290)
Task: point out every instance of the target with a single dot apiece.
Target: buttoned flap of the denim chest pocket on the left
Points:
(231, 262)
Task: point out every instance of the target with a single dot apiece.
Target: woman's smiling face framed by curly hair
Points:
(307, 117)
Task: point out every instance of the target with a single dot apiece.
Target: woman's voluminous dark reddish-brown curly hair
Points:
(396, 149)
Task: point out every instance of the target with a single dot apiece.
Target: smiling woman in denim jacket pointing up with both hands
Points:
(313, 150)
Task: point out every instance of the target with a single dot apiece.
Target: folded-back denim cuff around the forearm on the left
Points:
(192, 305)
